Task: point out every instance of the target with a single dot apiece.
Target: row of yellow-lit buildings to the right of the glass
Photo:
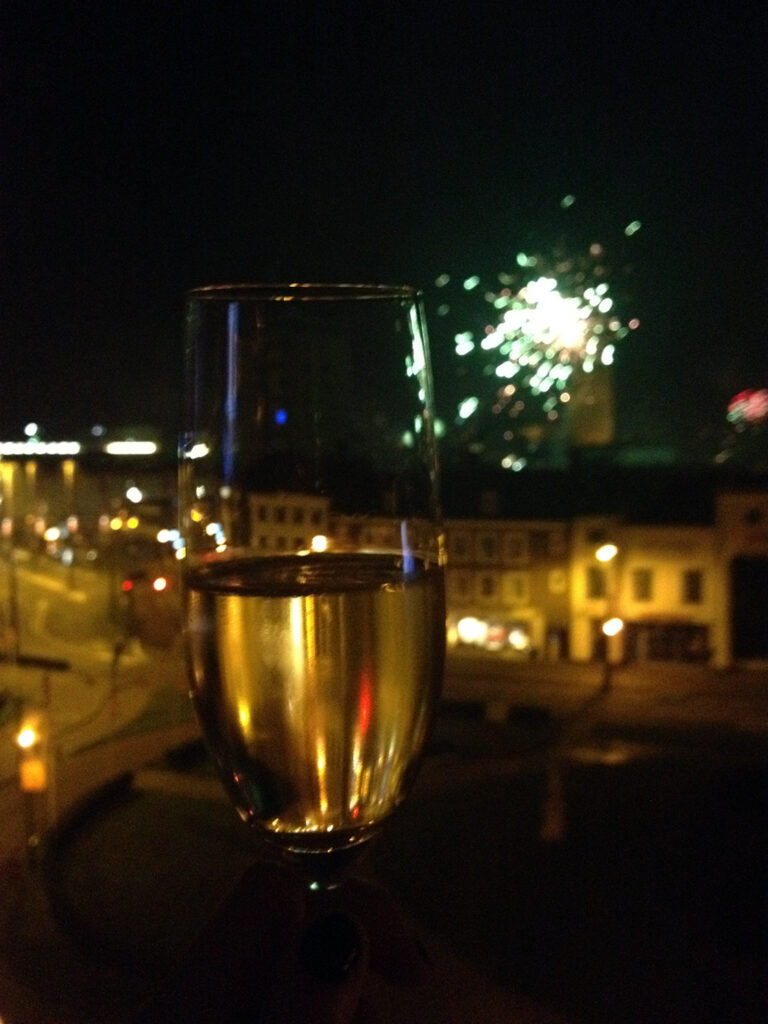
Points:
(680, 592)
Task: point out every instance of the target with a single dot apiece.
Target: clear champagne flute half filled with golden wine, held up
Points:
(314, 560)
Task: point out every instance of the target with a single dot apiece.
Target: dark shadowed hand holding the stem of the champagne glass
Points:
(276, 955)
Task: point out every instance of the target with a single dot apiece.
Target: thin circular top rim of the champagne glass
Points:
(297, 291)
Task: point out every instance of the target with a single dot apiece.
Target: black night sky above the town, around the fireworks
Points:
(152, 148)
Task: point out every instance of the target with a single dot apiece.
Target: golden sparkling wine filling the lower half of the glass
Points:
(316, 680)
